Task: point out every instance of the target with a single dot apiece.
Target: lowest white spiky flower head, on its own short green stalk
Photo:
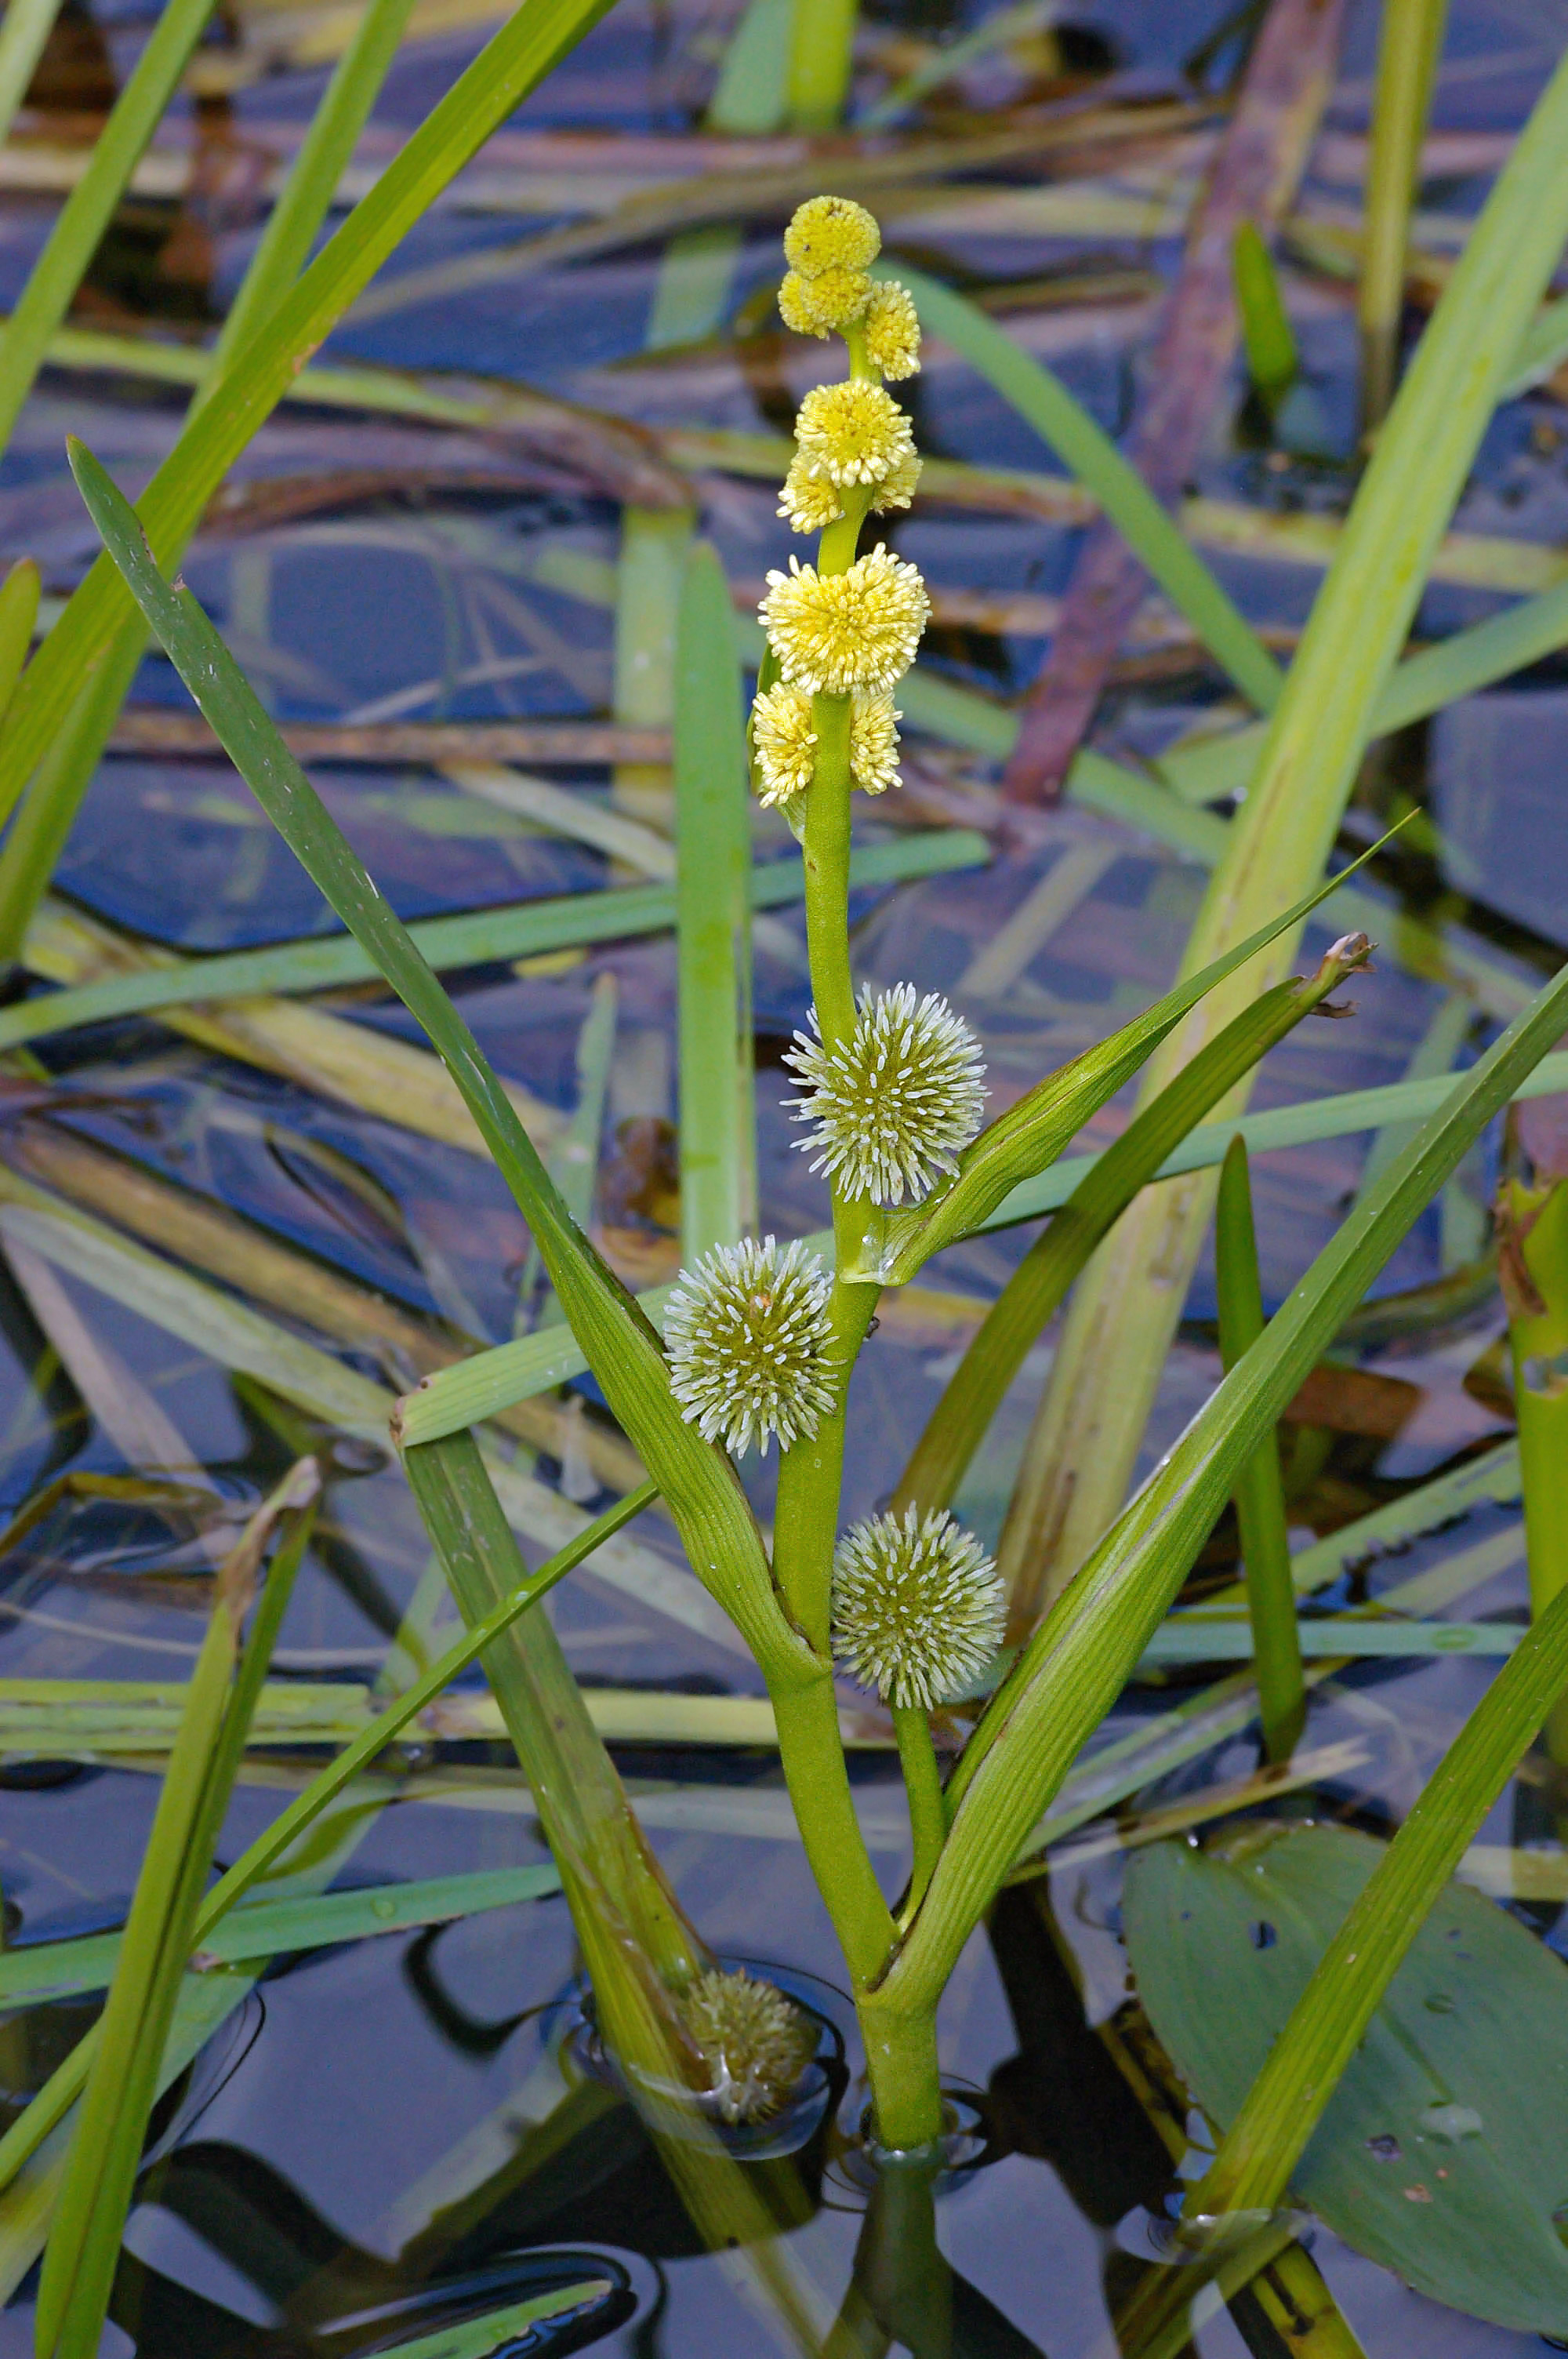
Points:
(916, 1608)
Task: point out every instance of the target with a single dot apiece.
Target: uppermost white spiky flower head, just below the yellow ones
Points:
(892, 1108)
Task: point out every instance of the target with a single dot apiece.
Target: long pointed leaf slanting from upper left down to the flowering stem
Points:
(697, 1480)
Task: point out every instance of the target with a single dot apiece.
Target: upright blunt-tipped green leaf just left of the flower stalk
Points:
(713, 839)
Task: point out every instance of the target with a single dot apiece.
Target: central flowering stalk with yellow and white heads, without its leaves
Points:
(888, 1096)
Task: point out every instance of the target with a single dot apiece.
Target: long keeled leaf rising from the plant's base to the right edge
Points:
(1079, 1660)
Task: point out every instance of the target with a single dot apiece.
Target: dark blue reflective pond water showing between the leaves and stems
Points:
(390, 2117)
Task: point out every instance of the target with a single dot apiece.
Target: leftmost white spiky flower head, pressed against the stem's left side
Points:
(746, 1336)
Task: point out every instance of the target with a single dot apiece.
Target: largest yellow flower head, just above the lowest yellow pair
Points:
(848, 631)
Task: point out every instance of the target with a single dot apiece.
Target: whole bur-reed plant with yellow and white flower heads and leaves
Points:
(765, 1334)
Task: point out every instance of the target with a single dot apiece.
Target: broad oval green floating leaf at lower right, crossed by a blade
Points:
(1444, 2153)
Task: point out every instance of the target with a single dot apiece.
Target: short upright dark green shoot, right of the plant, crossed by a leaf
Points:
(1260, 1494)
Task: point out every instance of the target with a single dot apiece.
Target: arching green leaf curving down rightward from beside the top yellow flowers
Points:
(1091, 454)
